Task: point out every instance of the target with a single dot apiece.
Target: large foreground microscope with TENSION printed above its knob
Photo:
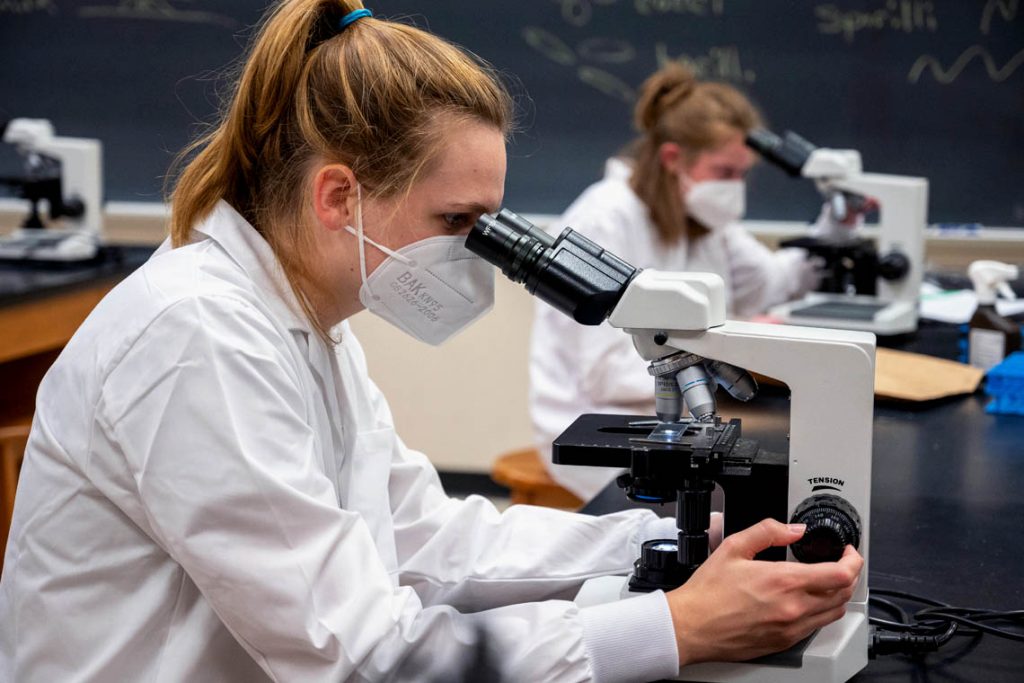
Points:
(677, 321)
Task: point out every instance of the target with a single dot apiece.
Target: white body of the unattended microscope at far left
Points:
(81, 185)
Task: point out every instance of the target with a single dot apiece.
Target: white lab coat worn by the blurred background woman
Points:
(577, 369)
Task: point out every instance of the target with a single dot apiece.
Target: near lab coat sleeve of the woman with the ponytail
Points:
(226, 478)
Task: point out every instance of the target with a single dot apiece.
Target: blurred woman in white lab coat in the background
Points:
(673, 203)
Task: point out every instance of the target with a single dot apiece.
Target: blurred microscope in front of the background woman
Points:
(865, 287)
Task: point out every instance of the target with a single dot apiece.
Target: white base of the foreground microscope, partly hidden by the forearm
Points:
(833, 655)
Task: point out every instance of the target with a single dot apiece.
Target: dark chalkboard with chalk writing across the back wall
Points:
(932, 89)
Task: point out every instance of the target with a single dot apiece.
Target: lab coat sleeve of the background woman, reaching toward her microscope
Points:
(762, 278)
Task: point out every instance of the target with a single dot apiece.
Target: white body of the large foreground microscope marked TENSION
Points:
(831, 375)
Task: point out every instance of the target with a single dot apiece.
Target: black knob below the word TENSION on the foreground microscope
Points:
(832, 525)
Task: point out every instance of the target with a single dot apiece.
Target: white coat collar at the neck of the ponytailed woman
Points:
(248, 248)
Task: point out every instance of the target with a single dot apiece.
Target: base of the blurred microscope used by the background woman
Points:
(850, 313)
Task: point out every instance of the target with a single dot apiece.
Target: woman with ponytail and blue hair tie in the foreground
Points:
(214, 489)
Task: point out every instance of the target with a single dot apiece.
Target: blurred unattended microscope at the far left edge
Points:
(66, 175)
